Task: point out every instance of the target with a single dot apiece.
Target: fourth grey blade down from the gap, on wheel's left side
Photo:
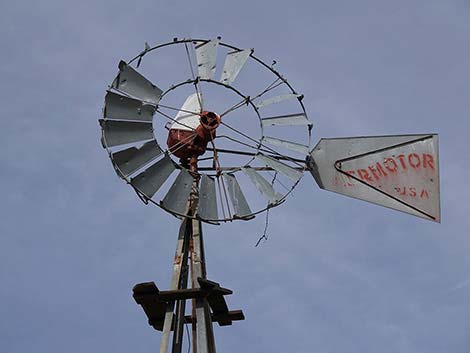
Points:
(131, 159)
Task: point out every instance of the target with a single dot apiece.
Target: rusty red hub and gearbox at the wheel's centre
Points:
(188, 145)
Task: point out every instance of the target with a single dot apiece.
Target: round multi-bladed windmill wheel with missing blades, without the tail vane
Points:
(201, 110)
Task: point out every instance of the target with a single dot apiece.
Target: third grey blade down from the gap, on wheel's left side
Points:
(117, 133)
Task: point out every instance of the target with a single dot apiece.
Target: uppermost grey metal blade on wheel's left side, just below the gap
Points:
(133, 83)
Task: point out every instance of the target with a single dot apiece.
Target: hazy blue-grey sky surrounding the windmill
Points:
(337, 275)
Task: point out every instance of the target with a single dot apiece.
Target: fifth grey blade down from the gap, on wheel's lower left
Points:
(151, 179)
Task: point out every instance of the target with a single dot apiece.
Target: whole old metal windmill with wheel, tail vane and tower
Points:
(211, 145)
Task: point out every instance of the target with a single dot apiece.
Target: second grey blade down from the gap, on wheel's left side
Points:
(119, 107)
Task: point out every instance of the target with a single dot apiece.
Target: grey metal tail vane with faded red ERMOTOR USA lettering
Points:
(400, 172)
